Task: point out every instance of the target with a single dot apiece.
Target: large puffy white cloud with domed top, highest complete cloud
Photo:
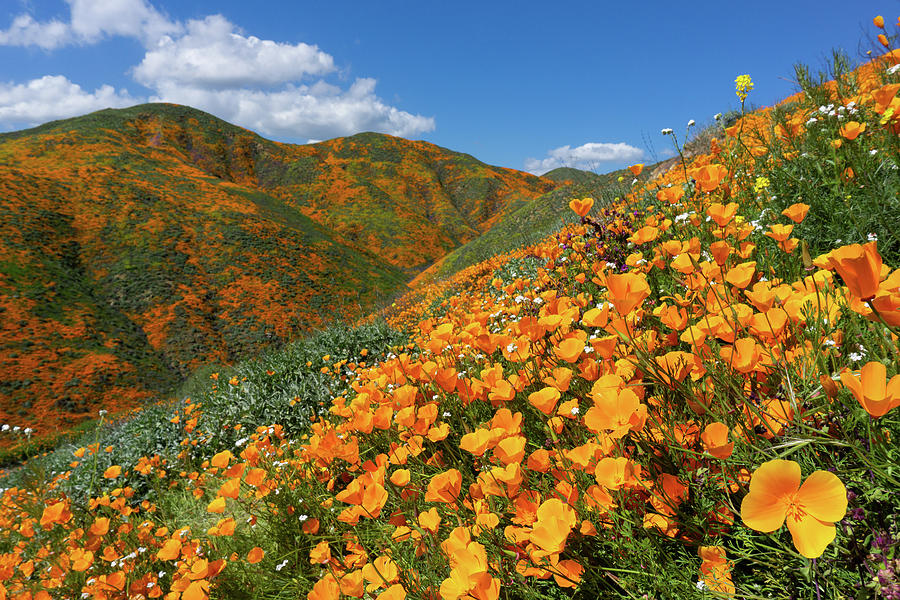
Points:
(213, 55)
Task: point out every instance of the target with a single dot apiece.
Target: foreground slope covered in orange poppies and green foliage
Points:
(687, 392)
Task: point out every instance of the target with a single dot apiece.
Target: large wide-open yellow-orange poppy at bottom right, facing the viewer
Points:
(810, 509)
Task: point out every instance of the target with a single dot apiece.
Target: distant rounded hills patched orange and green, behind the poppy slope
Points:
(139, 244)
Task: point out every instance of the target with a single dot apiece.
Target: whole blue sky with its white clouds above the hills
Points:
(526, 85)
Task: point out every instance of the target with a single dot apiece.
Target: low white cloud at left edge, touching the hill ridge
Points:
(55, 97)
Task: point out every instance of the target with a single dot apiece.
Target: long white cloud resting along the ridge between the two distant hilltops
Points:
(320, 111)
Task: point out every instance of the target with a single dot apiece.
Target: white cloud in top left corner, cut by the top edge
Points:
(89, 22)
